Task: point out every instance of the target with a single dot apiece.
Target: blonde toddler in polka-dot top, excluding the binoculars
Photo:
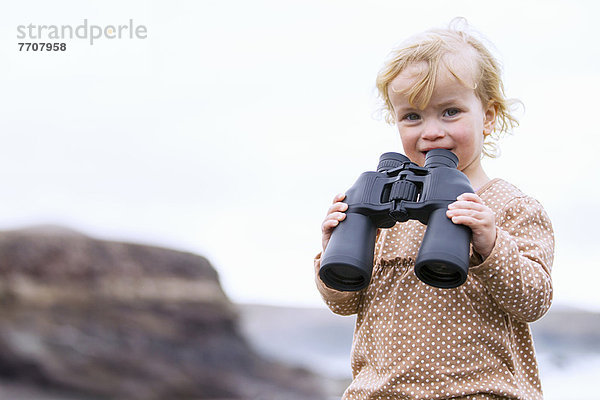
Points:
(442, 89)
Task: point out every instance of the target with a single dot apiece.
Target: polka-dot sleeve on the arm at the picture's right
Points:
(517, 272)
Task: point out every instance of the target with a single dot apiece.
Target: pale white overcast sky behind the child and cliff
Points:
(227, 129)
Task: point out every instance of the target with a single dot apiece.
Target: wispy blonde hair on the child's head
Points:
(436, 47)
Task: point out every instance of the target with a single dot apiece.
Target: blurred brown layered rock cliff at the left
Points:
(126, 321)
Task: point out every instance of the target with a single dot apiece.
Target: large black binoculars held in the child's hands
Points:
(398, 191)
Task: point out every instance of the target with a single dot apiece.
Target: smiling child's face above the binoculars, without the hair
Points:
(454, 118)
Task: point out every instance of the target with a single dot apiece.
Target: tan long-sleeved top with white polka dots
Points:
(415, 341)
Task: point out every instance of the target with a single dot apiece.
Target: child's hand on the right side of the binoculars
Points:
(469, 210)
